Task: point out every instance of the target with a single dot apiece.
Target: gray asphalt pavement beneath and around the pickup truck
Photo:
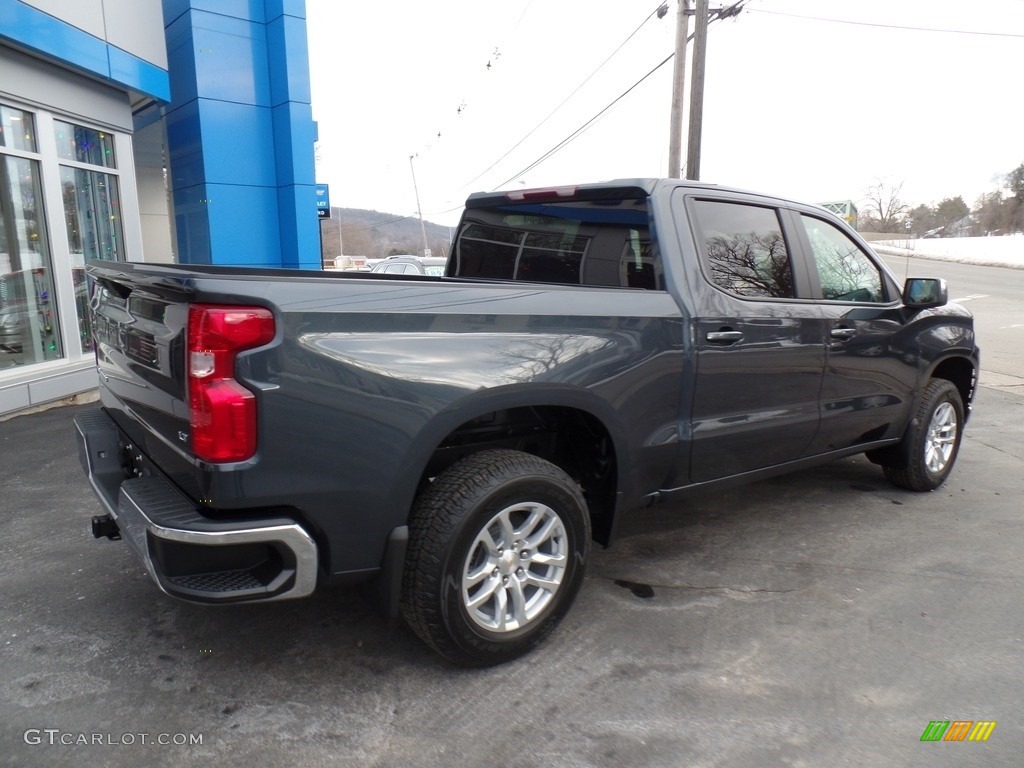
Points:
(826, 619)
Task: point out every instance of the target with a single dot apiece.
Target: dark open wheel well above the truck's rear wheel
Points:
(572, 440)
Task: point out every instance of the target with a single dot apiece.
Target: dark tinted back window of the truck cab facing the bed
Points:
(588, 243)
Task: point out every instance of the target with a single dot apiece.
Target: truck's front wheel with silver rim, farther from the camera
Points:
(926, 457)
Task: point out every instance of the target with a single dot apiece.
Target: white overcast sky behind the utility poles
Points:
(898, 91)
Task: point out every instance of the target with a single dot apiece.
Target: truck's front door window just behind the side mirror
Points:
(845, 272)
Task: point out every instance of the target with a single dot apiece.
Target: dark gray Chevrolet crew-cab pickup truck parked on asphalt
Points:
(458, 442)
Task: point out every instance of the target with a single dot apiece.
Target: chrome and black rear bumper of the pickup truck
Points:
(189, 556)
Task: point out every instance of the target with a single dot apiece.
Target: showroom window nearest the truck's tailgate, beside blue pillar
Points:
(92, 203)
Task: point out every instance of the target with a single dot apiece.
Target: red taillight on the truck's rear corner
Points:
(223, 412)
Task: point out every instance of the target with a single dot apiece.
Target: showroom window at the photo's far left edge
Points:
(28, 307)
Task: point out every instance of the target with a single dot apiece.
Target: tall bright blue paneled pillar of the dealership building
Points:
(242, 174)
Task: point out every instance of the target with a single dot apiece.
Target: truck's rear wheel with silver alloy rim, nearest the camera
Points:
(498, 547)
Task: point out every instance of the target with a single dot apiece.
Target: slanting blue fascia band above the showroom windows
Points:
(61, 41)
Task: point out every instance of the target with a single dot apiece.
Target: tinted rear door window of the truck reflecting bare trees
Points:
(745, 252)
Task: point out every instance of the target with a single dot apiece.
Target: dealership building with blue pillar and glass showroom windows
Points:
(141, 131)
